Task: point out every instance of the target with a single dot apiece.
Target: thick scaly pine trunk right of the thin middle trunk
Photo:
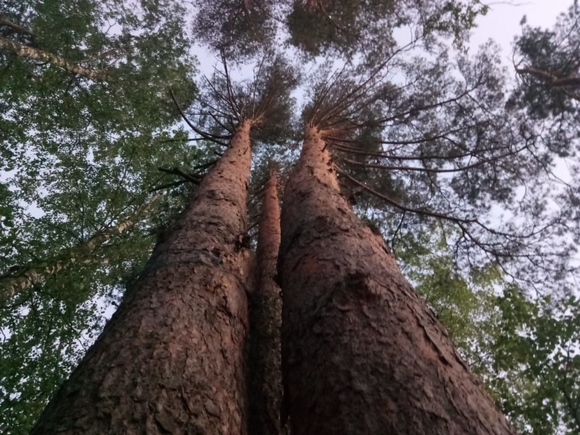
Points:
(362, 353)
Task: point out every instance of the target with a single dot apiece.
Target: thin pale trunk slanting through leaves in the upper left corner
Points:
(25, 51)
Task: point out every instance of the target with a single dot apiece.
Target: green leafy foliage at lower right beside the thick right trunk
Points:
(525, 349)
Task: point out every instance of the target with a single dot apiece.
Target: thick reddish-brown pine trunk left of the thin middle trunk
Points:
(171, 359)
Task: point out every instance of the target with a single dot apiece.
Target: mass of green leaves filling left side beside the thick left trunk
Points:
(76, 210)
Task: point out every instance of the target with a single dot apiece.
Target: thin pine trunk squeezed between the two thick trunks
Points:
(265, 322)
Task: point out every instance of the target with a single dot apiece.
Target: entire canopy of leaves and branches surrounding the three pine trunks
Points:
(466, 167)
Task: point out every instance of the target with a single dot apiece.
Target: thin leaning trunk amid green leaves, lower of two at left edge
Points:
(31, 274)
